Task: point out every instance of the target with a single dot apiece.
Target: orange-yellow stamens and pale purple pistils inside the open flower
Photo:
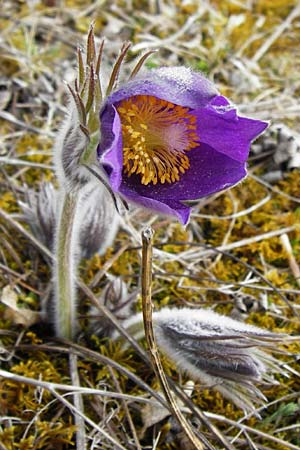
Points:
(156, 134)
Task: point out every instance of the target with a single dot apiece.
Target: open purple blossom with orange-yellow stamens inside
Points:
(169, 137)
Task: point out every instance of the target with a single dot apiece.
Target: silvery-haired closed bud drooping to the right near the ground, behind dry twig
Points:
(222, 353)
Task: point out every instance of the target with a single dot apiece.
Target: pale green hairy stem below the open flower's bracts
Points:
(65, 267)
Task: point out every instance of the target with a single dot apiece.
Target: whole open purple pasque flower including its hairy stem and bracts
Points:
(165, 137)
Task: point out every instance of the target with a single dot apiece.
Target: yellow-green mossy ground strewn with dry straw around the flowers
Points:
(232, 256)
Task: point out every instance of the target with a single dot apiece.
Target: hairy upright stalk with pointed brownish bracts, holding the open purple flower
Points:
(74, 152)
